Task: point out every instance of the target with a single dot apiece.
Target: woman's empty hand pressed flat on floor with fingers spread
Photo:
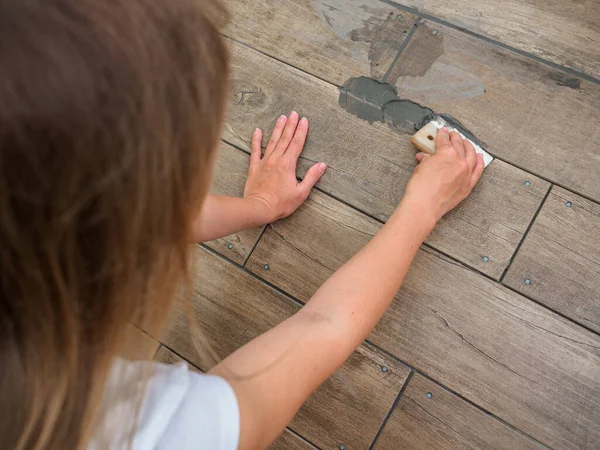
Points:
(272, 183)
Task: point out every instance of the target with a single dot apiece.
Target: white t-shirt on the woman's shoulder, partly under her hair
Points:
(181, 409)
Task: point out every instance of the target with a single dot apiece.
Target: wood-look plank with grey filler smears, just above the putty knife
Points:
(530, 115)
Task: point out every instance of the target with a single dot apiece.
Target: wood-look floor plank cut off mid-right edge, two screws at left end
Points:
(561, 257)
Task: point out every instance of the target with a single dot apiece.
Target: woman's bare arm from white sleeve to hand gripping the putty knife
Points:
(274, 374)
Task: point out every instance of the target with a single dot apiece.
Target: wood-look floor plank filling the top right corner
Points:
(566, 33)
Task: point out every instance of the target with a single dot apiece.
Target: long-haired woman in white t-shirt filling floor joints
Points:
(110, 113)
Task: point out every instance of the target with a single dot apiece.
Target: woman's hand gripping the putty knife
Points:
(442, 180)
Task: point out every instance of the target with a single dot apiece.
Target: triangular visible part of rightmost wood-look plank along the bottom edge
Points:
(445, 421)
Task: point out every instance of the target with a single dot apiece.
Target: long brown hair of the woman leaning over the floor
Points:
(110, 112)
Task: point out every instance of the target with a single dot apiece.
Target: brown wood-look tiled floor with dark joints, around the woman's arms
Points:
(492, 342)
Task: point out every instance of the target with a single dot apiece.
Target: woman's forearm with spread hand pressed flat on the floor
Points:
(272, 190)
